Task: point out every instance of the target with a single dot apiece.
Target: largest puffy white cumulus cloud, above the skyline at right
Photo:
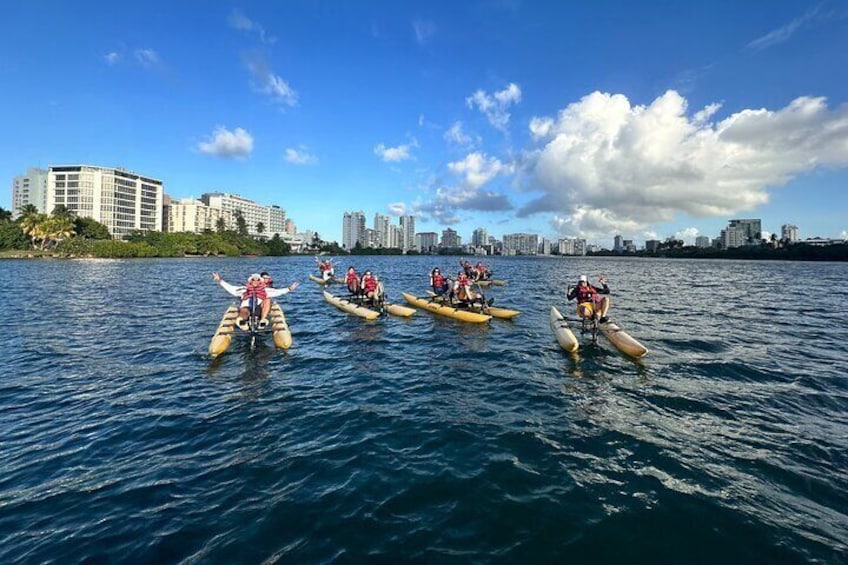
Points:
(607, 166)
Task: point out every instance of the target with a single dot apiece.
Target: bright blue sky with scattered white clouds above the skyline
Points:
(560, 118)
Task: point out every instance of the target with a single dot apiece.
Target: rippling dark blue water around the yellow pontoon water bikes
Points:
(424, 440)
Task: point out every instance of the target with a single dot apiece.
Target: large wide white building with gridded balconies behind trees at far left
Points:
(121, 200)
